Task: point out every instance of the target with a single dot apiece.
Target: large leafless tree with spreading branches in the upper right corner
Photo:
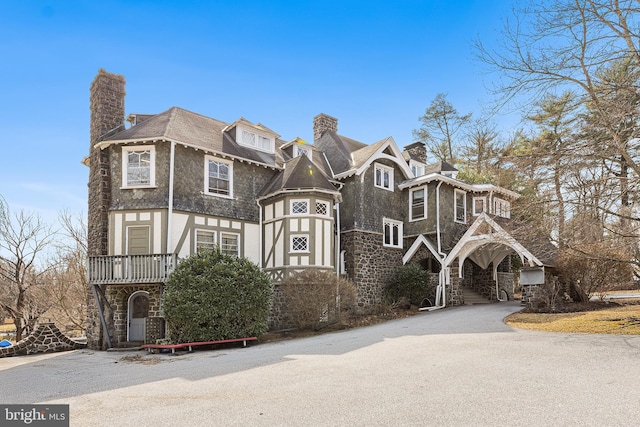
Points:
(564, 44)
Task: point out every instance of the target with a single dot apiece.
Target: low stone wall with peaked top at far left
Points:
(47, 338)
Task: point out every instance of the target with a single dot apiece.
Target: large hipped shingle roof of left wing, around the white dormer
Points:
(196, 131)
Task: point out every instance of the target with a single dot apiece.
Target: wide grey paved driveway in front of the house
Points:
(459, 366)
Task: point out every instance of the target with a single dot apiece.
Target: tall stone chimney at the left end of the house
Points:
(107, 116)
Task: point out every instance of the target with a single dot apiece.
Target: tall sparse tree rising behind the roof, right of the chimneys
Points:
(440, 123)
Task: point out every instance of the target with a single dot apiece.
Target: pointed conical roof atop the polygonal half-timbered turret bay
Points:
(299, 173)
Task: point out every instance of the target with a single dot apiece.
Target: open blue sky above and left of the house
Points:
(374, 65)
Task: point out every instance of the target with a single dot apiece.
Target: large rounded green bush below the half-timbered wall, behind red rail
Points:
(213, 296)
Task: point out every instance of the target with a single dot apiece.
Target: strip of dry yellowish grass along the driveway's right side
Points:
(618, 320)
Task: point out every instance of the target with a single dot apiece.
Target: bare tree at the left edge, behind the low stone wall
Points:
(23, 239)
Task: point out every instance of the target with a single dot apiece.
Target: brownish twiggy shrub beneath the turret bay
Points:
(310, 297)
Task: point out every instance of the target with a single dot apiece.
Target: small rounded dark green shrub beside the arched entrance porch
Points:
(409, 282)
